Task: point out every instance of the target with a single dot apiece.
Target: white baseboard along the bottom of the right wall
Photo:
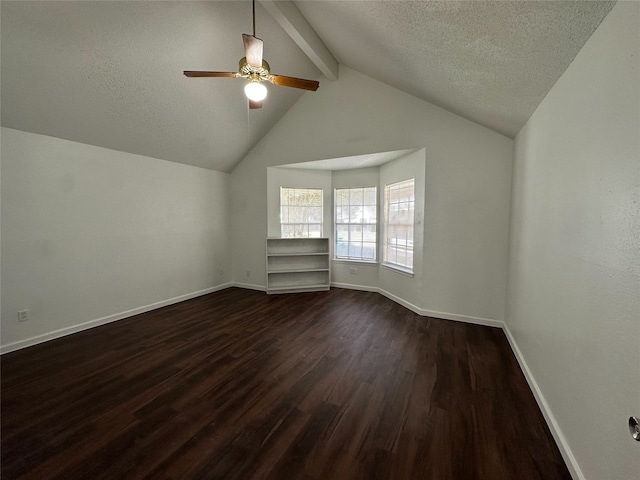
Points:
(560, 439)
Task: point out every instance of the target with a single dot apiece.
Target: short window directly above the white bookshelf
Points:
(300, 212)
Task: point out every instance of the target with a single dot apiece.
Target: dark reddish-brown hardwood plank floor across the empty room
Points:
(240, 385)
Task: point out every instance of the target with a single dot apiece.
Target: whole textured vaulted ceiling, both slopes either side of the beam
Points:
(110, 73)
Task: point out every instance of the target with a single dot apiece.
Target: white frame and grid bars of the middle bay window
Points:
(338, 221)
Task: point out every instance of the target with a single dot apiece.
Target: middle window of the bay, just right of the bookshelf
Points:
(356, 218)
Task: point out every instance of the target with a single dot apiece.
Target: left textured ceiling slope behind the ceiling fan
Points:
(110, 74)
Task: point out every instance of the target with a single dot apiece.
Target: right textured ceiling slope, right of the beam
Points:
(490, 62)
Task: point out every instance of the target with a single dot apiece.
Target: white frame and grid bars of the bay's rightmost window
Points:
(408, 246)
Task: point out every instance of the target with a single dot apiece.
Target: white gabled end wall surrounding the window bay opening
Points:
(468, 175)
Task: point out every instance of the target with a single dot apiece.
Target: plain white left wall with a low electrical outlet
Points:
(89, 233)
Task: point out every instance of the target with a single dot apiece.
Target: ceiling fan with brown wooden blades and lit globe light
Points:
(256, 70)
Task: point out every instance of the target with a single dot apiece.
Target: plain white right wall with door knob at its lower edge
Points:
(574, 271)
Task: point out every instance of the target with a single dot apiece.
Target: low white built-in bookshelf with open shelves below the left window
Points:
(297, 265)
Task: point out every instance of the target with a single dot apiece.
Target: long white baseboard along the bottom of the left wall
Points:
(62, 332)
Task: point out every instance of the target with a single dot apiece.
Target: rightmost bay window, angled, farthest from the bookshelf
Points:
(399, 202)
